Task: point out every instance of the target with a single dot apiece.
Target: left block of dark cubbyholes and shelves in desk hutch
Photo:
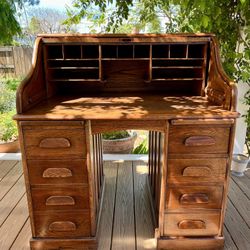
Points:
(75, 63)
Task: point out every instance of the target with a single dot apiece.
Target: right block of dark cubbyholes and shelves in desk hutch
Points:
(178, 62)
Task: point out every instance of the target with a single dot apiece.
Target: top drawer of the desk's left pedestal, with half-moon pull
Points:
(54, 143)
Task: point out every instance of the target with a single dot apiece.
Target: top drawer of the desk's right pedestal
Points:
(198, 140)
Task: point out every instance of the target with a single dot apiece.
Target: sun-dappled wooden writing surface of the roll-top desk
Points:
(125, 107)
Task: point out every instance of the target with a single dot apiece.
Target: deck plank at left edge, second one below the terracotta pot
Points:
(10, 179)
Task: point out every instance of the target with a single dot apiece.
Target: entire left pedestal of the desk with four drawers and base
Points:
(60, 181)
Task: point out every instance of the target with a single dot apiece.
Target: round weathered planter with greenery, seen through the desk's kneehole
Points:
(118, 142)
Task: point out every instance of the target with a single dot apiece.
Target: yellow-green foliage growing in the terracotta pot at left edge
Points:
(8, 128)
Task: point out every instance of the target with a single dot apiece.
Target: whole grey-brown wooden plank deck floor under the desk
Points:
(126, 221)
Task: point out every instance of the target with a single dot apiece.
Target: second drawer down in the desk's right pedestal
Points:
(197, 170)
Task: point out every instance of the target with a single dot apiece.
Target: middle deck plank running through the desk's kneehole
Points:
(124, 228)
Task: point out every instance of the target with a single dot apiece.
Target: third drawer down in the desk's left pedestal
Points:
(60, 198)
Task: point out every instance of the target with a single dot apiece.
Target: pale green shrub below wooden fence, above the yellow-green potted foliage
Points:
(7, 98)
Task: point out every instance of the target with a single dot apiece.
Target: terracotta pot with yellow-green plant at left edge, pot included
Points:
(8, 133)
